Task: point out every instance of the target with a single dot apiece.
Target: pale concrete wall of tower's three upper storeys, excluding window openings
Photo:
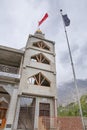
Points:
(31, 68)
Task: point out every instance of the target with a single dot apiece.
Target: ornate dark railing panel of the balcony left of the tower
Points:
(9, 69)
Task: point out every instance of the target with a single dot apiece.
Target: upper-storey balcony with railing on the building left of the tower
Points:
(10, 62)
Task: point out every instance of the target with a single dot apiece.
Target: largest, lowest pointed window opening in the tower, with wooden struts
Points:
(39, 79)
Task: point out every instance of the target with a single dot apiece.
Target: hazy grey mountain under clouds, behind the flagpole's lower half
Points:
(67, 92)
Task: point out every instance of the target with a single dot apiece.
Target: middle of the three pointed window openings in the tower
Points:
(40, 58)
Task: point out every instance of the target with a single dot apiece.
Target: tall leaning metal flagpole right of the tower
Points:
(74, 75)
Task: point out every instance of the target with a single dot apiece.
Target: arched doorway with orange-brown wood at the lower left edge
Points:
(4, 104)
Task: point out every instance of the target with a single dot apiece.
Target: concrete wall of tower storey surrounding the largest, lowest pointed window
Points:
(35, 89)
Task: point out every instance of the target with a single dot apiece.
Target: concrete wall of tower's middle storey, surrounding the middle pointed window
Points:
(28, 62)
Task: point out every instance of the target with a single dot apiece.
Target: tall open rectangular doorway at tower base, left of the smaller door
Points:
(26, 113)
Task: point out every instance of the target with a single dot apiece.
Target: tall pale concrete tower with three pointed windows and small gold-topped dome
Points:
(38, 79)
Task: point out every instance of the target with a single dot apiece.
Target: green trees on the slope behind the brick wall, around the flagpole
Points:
(72, 109)
